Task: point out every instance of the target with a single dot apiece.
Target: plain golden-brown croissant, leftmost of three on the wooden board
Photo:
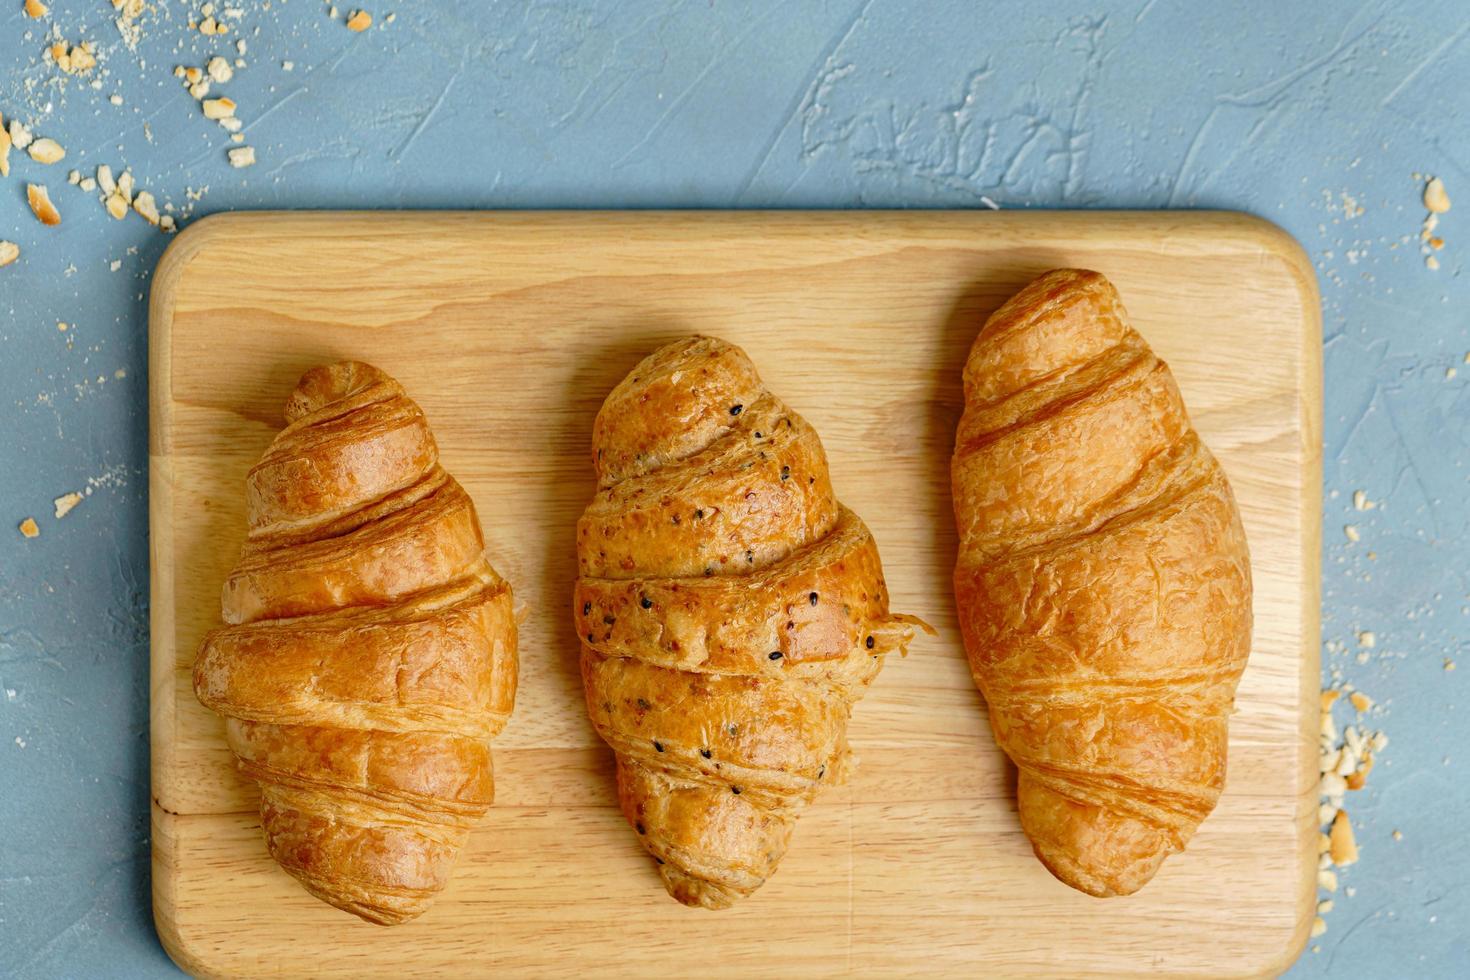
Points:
(370, 652)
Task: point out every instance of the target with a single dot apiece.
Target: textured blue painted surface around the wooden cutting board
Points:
(1300, 112)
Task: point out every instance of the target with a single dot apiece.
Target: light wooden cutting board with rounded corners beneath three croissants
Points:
(509, 330)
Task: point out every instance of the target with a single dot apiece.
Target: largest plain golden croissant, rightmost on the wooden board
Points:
(1103, 583)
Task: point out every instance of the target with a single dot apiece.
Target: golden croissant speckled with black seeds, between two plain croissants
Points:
(731, 615)
